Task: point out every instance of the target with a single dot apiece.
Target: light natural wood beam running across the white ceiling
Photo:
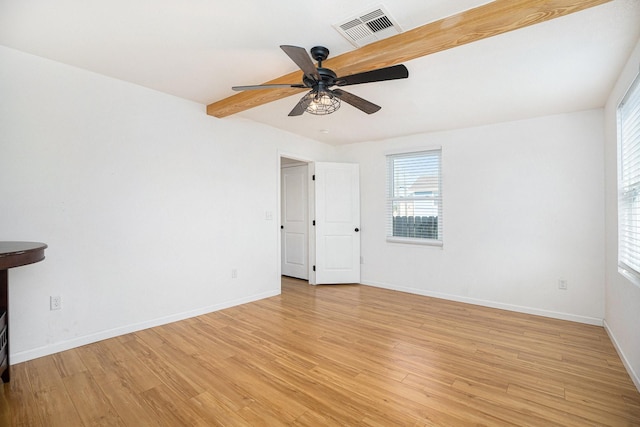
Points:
(497, 17)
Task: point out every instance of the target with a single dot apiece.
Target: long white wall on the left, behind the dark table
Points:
(146, 203)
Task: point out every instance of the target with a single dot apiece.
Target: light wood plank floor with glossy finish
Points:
(334, 355)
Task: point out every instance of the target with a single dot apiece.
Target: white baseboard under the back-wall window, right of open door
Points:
(492, 304)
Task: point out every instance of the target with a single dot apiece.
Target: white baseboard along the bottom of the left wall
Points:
(35, 353)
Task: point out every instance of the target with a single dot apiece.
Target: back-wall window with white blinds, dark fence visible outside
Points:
(414, 197)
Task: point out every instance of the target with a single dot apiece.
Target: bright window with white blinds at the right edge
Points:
(629, 183)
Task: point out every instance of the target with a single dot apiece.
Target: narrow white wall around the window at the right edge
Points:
(622, 312)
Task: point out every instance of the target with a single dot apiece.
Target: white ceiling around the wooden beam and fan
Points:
(198, 49)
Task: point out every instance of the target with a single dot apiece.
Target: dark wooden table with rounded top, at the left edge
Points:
(12, 254)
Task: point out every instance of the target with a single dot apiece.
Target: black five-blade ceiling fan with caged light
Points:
(321, 99)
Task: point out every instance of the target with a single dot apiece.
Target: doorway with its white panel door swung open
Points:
(319, 221)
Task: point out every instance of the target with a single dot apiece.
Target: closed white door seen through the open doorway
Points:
(295, 218)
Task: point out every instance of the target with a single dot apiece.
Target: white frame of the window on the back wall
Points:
(390, 198)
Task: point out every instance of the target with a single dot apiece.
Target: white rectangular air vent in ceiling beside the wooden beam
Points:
(368, 27)
